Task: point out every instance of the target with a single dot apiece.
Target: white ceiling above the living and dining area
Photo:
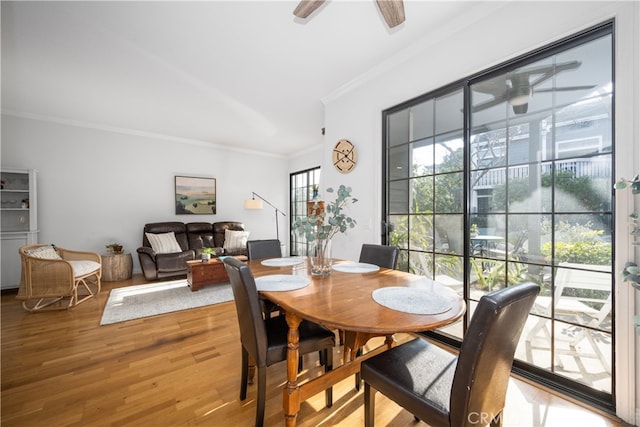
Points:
(242, 73)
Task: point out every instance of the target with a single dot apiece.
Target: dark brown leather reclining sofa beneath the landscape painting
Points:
(192, 238)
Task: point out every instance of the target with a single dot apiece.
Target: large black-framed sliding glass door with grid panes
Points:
(507, 177)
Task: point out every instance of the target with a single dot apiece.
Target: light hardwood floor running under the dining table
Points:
(62, 368)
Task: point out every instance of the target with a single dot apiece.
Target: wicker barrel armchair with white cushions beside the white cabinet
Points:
(52, 274)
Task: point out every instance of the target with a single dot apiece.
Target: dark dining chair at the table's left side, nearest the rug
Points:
(265, 340)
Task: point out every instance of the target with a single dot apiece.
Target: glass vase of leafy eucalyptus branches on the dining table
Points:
(323, 221)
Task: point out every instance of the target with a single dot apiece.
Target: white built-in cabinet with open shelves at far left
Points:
(19, 220)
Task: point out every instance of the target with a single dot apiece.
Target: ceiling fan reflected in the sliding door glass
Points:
(517, 87)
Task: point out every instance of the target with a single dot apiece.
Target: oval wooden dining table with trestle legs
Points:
(343, 301)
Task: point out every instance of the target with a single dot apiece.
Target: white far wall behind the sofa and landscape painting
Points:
(97, 186)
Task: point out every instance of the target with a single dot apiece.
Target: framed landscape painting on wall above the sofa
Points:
(195, 196)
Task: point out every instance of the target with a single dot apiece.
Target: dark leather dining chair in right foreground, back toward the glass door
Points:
(443, 389)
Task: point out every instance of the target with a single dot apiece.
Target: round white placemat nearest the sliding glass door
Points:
(411, 300)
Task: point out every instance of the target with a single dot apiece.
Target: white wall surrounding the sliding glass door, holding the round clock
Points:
(501, 31)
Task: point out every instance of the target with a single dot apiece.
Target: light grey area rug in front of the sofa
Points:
(134, 302)
